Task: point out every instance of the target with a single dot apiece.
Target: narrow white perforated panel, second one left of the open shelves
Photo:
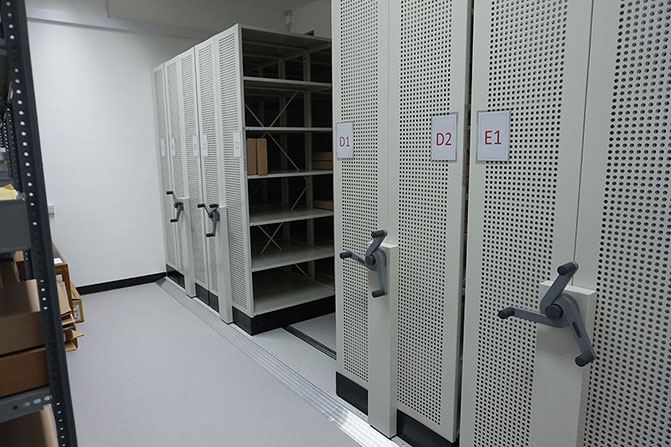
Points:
(208, 126)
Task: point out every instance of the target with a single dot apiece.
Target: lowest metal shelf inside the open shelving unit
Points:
(279, 290)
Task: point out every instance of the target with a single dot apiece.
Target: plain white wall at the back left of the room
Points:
(96, 119)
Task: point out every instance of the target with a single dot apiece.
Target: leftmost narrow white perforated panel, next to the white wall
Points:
(164, 165)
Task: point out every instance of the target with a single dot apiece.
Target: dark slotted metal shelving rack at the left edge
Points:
(27, 220)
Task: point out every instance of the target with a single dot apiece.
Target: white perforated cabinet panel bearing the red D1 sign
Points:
(360, 97)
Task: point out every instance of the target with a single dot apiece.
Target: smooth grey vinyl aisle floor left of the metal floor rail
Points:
(149, 373)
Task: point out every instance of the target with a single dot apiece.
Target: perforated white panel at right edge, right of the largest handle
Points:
(630, 384)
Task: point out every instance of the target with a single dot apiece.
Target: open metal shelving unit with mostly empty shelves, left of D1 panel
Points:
(276, 86)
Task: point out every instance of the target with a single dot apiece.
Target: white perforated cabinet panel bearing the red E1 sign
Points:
(529, 58)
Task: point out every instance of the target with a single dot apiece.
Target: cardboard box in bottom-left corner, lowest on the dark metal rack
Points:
(32, 430)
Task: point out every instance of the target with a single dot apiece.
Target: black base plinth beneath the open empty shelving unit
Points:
(283, 317)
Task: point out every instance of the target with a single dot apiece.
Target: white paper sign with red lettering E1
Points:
(493, 136)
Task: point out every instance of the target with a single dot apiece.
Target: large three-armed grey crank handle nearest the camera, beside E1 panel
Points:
(558, 309)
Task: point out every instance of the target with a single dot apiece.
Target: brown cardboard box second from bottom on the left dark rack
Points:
(23, 371)
